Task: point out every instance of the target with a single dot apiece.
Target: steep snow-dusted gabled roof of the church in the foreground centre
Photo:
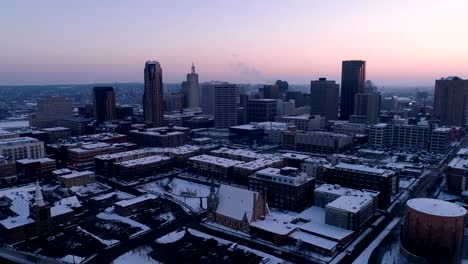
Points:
(235, 202)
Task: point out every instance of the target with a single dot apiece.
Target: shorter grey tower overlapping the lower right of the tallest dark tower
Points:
(367, 107)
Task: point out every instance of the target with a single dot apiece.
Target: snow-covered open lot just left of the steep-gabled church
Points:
(183, 191)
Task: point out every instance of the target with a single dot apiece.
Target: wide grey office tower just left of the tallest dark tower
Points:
(324, 97)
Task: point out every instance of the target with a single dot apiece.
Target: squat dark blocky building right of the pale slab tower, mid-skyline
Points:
(261, 110)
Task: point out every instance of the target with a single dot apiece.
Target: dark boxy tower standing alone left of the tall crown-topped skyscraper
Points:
(104, 103)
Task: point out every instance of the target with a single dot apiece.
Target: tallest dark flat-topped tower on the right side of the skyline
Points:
(353, 76)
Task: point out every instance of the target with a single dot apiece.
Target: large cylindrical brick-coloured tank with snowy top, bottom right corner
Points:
(433, 230)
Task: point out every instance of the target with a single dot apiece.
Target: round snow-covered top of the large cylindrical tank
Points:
(436, 207)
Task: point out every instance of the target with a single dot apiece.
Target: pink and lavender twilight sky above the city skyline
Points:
(404, 42)
